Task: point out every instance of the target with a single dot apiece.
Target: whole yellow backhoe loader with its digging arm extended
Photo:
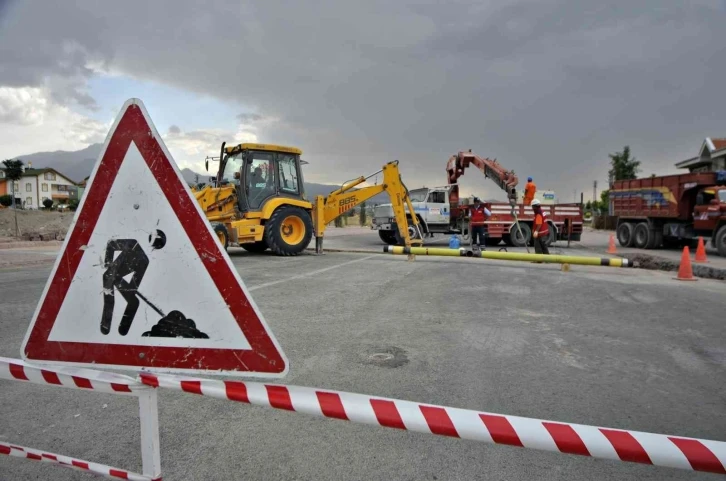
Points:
(257, 200)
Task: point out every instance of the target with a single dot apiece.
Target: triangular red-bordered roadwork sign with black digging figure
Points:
(141, 280)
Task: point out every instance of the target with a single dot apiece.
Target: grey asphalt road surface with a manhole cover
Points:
(621, 348)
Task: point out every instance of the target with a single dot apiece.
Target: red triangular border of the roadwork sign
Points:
(264, 356)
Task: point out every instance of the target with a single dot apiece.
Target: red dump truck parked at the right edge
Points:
(671, 210)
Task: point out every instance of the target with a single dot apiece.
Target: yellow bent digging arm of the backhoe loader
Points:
(342, 200)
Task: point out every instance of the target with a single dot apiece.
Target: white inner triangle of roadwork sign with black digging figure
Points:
(166, 278)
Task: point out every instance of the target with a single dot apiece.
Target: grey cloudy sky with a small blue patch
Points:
(548, 87)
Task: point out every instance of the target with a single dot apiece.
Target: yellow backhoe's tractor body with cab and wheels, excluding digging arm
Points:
(258, 200)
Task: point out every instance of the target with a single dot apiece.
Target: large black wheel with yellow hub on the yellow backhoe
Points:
(289, 230)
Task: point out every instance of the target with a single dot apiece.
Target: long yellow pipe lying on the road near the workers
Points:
(510, 256)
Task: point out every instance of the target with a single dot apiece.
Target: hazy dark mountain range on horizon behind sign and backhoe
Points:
(78, 165)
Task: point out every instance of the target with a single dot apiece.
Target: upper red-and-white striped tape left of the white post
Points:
(78, 378)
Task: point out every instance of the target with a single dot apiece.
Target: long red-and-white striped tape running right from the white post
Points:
(615, 444)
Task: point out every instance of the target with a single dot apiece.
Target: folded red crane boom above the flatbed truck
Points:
(457, 164)
